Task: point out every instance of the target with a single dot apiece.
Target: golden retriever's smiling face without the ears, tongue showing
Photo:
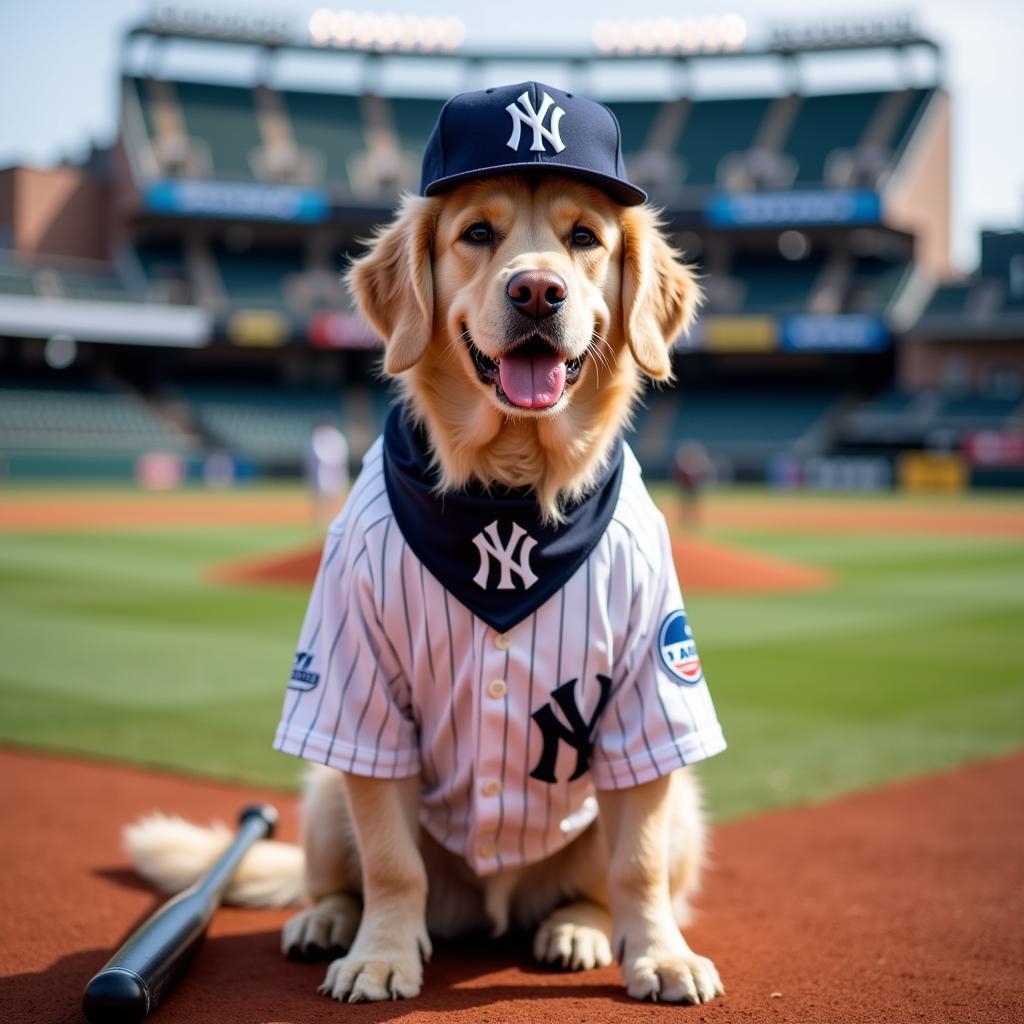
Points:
(530, 281)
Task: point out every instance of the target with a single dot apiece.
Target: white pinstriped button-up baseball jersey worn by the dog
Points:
(395, 677)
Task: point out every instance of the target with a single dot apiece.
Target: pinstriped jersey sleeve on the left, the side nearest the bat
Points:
(348, 703)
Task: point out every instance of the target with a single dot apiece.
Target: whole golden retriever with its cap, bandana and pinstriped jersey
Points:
(522, 308)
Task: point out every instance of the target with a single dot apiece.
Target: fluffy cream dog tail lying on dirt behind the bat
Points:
(173, 854)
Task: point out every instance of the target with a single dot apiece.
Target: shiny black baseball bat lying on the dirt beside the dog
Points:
(138, 976)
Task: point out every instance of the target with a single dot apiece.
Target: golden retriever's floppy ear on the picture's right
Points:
(660, 294)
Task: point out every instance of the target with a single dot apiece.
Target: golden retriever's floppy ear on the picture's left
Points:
(394, 284)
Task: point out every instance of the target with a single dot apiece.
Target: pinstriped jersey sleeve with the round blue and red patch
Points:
(660, 716)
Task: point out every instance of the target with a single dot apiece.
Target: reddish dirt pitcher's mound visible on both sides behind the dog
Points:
(704, 567)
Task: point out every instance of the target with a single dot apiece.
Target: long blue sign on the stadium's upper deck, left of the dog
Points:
(238, 200)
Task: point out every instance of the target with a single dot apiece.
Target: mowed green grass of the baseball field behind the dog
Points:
(114, 647)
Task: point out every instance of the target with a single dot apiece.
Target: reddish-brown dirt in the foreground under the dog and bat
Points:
(904, 905)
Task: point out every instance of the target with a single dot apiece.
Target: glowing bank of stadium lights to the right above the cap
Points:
(670, 36)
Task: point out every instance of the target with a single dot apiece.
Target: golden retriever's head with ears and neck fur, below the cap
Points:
(519, 313)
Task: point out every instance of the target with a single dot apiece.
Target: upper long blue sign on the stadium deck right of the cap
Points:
(794, 209)
